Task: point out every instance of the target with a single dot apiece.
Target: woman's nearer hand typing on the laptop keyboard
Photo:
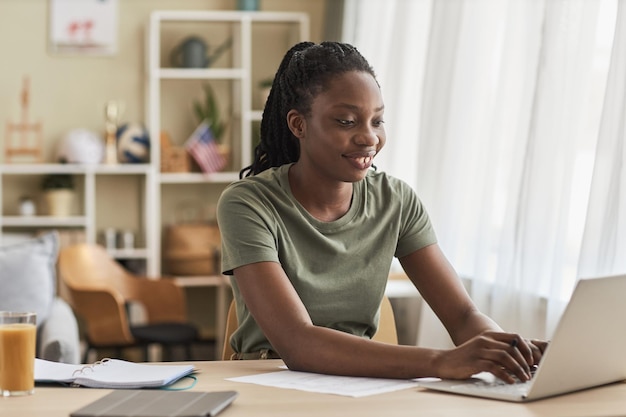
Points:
(506, 355)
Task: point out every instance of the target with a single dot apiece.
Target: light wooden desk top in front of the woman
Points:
(266, 401)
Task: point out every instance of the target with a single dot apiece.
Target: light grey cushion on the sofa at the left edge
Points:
(28, 275)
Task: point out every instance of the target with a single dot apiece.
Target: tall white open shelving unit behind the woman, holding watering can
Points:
(259, 40)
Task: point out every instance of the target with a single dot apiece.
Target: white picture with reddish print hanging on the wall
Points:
(83, 27)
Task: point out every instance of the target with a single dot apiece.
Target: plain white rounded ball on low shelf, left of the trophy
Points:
(80, 146)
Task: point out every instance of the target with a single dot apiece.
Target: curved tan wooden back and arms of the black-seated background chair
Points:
(99, 289)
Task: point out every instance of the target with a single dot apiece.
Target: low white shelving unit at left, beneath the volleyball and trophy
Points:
(96, 183)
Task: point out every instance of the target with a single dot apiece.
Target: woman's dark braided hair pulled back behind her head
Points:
(303, 73)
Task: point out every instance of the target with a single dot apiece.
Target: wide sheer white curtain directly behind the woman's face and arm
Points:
(493, 109)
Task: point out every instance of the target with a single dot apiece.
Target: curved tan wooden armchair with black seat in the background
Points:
(99, 290)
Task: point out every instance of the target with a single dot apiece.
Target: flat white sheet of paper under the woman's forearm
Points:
(327, 384)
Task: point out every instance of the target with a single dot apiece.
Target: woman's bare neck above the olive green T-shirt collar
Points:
(325, 200)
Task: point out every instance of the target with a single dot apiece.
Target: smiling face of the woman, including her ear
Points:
(344, 129)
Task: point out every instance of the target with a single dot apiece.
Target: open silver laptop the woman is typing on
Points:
(587, 349)
